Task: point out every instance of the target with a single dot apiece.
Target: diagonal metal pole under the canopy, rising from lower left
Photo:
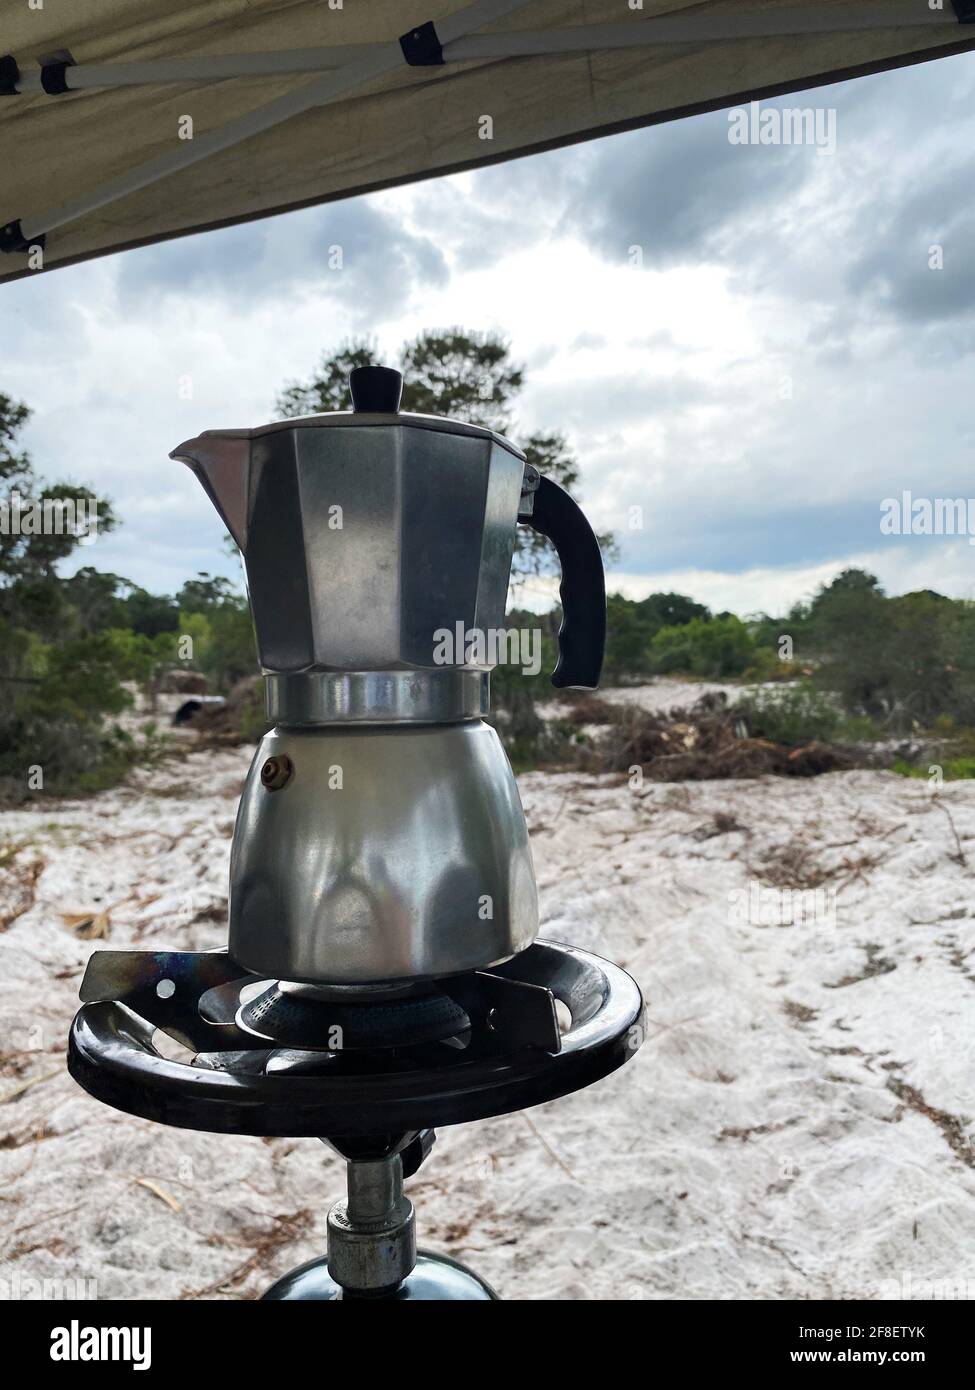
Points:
(383, 59)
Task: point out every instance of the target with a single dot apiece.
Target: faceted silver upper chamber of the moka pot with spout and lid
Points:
(365, 533)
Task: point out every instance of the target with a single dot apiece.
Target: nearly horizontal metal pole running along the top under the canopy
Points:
(695, 28)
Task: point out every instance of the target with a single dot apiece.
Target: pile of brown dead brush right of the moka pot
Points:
(702, 743)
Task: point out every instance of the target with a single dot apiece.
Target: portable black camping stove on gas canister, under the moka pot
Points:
(372, 1072)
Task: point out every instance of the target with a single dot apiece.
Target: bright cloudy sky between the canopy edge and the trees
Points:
(749, 386)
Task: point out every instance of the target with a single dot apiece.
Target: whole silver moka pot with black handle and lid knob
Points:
(380, 836)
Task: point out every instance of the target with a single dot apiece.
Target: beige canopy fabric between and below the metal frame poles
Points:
(410, 124)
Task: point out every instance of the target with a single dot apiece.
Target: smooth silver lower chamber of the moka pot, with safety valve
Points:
(429, 872)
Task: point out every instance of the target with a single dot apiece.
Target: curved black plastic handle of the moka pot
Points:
(583, 590)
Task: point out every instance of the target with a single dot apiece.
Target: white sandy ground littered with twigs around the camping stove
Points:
(799, 1124)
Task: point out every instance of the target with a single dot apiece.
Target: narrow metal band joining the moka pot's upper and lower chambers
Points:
(378, 697)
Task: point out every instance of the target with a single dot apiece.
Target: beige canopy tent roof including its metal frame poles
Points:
(301, 102)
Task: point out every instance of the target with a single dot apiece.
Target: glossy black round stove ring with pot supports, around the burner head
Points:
(245, 1089)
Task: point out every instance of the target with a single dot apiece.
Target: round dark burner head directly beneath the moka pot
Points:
(307, 1017)
